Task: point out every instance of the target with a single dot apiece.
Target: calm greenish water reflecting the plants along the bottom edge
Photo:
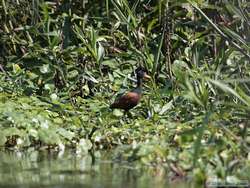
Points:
(50, 169)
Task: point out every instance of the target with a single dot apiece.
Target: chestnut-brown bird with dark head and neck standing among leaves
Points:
(130, 99)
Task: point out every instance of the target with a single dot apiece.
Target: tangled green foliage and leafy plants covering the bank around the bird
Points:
(61, 63)
